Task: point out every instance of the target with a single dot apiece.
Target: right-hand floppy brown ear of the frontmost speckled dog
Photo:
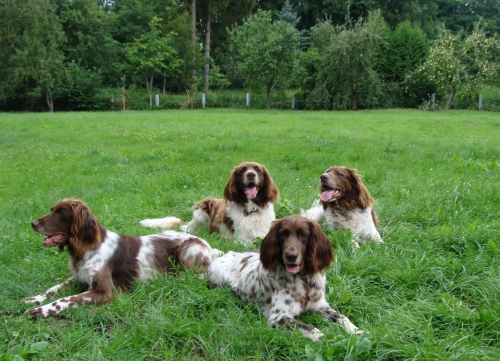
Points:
(319, 249)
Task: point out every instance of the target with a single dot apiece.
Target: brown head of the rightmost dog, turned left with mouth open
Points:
(344, 185)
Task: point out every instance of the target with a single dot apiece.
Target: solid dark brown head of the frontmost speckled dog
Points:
(297, 244)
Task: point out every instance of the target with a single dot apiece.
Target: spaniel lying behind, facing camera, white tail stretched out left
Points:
(245, 213)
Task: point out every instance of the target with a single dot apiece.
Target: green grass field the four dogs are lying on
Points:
(431, 292)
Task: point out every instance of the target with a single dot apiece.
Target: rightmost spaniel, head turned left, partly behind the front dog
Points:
(346, 204)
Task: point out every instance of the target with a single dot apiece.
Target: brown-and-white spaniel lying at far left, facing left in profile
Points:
(104, 260)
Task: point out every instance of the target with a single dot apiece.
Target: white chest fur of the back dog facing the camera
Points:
(250, 222)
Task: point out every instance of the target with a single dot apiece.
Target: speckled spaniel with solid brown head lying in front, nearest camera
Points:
(286, 278)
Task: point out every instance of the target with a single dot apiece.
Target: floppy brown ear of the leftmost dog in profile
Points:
(85, 231)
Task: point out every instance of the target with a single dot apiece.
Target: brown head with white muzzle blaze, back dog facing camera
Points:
(252, 181)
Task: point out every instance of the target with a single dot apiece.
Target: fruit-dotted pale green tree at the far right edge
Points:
(457, 60)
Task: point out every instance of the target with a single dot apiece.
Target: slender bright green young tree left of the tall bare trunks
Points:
(152, 54)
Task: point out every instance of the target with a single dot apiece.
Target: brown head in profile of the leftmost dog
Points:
(70, 223)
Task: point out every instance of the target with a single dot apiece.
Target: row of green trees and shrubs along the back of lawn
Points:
(75, 54)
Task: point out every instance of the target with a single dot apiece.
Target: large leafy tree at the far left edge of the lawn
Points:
(30, 39)
